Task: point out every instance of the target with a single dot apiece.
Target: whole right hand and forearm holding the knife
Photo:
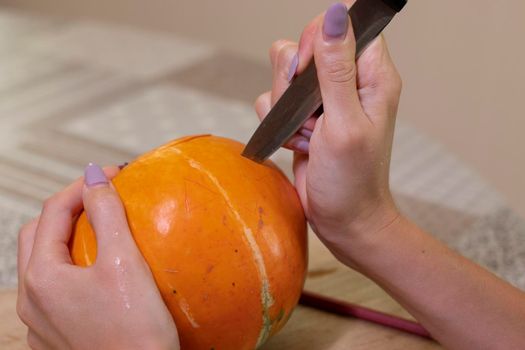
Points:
(341, 166)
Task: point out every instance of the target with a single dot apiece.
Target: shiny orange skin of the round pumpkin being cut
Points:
(225, 239)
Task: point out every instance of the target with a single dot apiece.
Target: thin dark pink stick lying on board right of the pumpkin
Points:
(346, 309)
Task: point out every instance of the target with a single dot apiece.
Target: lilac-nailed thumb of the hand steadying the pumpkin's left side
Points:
(107, 216)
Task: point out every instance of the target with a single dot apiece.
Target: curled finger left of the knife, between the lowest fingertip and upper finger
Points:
(285, 61)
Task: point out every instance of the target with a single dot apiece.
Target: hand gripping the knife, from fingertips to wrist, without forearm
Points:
(342, 158)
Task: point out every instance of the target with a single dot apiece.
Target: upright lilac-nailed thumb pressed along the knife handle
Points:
(334, 54)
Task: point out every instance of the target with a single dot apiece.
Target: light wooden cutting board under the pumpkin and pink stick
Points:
(307, 328)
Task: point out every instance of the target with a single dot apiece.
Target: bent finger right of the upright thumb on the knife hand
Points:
(379, 83)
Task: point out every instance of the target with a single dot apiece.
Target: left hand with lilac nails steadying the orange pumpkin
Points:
(113, 304)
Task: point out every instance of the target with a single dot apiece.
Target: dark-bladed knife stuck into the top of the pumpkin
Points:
(303, 97)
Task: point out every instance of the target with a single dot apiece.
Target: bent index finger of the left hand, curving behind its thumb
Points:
(56, 222)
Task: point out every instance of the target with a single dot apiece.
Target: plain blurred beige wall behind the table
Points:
(462, 63)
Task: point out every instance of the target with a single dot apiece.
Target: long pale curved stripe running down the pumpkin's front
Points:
(266, 296)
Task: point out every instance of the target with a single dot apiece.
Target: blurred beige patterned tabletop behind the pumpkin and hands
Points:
(68, 97)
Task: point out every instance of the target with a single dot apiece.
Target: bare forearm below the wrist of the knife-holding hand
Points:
(460, 303)
